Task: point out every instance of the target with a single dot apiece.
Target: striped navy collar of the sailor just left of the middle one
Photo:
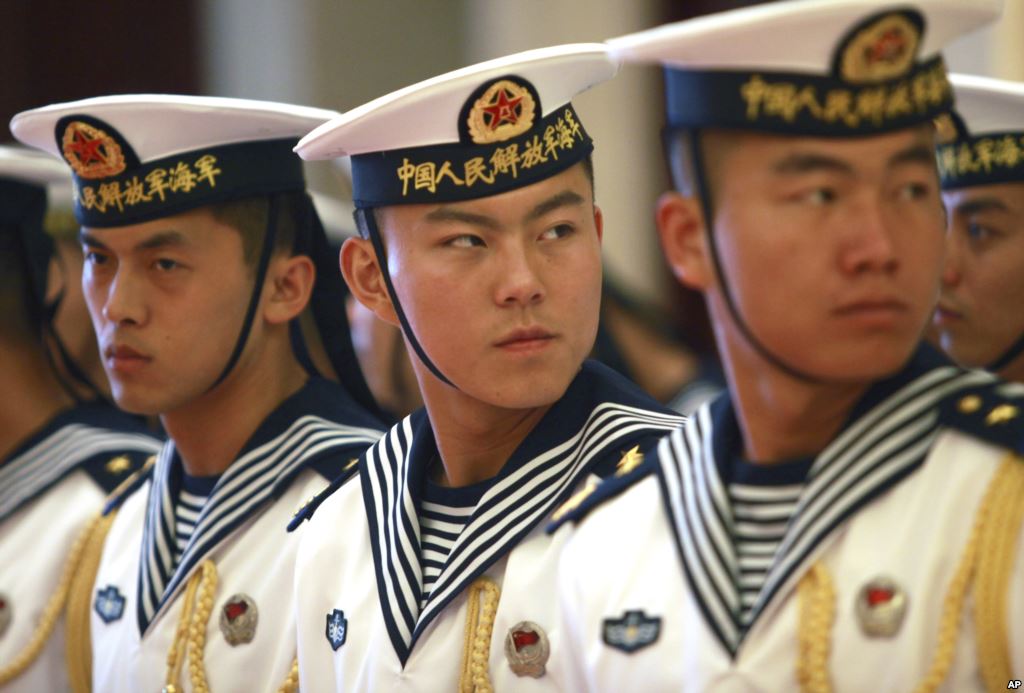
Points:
(320, 427)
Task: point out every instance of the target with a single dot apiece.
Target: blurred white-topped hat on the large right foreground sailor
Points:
(825, 68)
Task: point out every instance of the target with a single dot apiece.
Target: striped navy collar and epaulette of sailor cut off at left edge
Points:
(106, 443)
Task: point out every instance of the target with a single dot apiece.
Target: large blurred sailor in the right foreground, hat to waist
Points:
(848, 515)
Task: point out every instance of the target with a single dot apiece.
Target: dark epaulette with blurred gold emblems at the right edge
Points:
(994, 413)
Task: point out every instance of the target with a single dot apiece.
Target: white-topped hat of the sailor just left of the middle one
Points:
(140, 157)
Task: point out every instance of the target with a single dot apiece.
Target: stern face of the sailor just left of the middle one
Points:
(167, 300)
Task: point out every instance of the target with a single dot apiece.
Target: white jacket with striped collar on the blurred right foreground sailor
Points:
(874, 571)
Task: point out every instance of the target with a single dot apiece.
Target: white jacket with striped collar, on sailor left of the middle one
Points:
(140, 593)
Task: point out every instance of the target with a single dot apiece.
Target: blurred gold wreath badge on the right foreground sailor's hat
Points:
(883, 51)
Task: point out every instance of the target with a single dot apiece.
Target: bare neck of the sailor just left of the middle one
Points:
(211, 430)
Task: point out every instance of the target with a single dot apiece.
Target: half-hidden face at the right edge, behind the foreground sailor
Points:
(979, 315)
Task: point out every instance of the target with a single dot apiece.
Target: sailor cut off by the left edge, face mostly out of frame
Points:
(63, 447)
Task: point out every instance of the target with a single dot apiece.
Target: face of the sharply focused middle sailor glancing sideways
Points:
(503, 293)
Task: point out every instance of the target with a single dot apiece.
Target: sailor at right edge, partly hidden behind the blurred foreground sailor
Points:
(978, 320)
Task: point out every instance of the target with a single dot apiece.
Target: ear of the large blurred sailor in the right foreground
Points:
(681, 229)
